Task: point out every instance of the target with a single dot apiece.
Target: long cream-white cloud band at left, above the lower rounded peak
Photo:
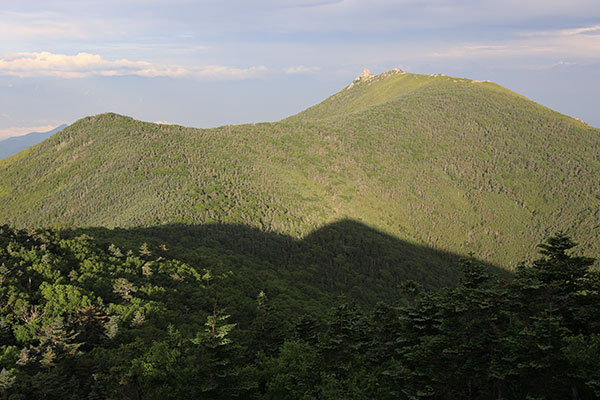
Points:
(30, 64)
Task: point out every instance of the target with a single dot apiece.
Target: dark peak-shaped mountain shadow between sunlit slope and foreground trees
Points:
(345, 258)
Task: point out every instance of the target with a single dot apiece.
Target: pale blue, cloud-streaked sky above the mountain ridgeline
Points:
(206, 63)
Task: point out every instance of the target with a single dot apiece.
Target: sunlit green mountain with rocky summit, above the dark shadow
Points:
(447, 163)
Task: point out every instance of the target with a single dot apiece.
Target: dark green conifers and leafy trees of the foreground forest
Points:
(83, 318)
